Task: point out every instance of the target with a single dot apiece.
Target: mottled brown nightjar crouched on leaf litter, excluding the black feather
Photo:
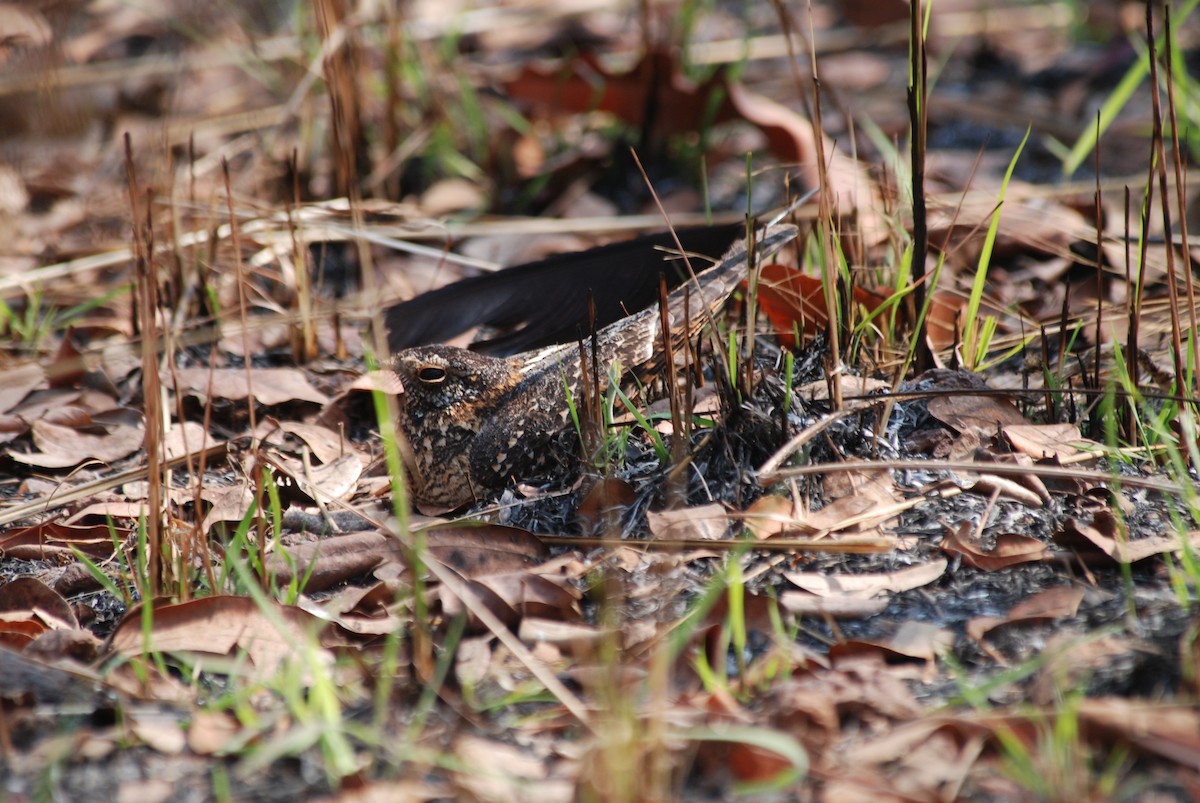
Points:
(475, 423)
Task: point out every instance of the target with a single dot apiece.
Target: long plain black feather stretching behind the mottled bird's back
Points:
(547, 302)
